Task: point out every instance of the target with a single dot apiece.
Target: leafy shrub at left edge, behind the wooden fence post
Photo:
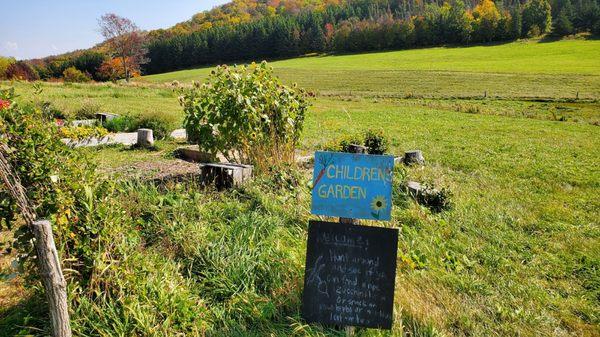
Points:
(53, 175)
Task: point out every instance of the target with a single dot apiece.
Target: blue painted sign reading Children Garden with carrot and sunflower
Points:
(352, 185)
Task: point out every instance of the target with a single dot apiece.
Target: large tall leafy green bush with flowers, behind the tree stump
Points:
(247, 114)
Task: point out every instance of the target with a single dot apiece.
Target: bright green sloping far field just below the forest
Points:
(524, 69)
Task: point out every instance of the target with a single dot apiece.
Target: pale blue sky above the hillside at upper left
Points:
(38, 28)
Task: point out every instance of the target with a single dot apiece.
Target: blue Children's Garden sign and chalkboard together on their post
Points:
(350, 270)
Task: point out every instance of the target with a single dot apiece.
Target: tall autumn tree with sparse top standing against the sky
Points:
(125, 41)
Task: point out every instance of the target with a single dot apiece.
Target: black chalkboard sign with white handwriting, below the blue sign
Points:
(350, 275)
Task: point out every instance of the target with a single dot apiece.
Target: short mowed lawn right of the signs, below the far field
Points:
(520, 252)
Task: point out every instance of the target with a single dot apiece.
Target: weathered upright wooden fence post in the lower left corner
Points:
(52, 277)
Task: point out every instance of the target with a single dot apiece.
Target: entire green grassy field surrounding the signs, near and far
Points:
(518, 255)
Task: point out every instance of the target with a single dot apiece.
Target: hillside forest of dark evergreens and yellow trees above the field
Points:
(361, 25)
